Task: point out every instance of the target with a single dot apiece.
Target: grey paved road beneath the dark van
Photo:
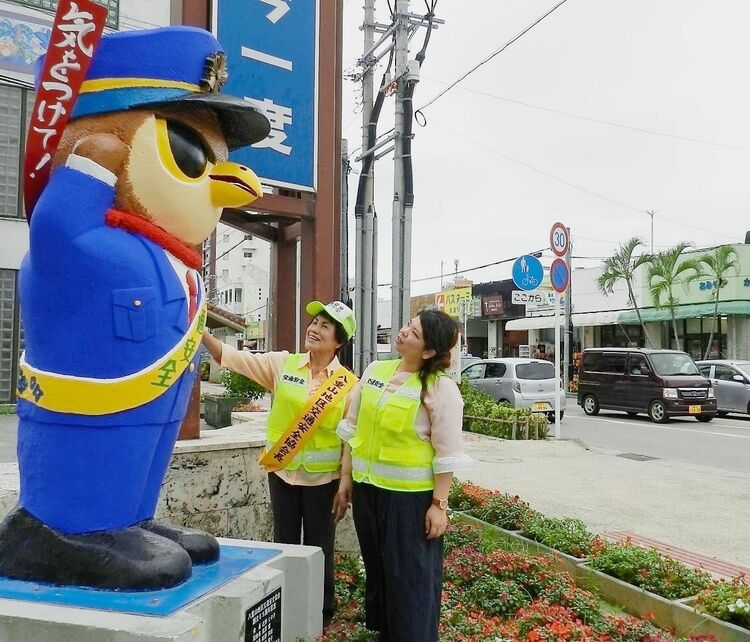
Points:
(723, 443)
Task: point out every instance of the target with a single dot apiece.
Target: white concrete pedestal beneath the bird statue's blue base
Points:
(219, 616)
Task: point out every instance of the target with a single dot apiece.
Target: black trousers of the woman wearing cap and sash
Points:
(308, 508)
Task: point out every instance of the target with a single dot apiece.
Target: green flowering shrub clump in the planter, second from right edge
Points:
(649, 569)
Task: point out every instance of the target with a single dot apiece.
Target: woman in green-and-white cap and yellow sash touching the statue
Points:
(303, 451)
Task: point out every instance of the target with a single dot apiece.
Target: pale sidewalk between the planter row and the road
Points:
(702, 509)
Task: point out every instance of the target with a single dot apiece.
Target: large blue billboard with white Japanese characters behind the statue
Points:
(271, 46)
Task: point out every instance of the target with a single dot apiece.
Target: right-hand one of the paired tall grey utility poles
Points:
(401, 218)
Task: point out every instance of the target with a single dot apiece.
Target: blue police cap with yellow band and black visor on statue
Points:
(171, 66)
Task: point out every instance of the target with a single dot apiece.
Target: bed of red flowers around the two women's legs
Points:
(498, 596)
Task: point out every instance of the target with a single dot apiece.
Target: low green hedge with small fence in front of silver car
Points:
(485, 416)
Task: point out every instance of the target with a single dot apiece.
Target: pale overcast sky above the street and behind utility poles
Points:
(522, 142)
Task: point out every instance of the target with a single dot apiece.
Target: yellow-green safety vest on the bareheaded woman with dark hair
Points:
(386, 449)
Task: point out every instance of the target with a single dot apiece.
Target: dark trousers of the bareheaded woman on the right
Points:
(404, 570)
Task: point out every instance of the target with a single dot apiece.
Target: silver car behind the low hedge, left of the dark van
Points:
(523, 383)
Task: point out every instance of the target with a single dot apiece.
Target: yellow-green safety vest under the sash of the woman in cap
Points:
(322, 454)
